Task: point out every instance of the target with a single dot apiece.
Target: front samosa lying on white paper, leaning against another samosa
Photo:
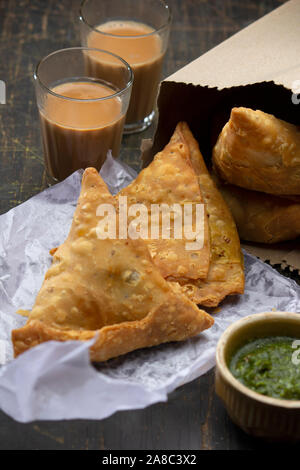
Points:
(108, 288)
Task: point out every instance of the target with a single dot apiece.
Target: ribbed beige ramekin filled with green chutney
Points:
(258, 374)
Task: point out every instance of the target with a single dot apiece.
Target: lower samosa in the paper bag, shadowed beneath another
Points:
(261, 217)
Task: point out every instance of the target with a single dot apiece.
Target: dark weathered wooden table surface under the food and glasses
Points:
(193, 417)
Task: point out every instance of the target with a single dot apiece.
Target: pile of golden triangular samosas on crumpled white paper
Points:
(135, 293)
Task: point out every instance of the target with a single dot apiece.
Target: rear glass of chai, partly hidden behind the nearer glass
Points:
(137, 31)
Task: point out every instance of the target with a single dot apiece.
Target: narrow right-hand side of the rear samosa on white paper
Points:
(226, 271)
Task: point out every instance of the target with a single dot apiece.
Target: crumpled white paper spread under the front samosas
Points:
(56, 380)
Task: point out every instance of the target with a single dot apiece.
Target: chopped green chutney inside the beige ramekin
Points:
(269, 366)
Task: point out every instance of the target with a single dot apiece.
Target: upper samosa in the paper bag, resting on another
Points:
(257, 151)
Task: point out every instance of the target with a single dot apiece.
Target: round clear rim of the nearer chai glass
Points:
(88, 100)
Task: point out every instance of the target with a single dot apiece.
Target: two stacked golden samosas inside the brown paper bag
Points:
(257, 165)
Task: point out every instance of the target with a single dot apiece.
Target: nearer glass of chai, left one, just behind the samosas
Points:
(82, 114)
